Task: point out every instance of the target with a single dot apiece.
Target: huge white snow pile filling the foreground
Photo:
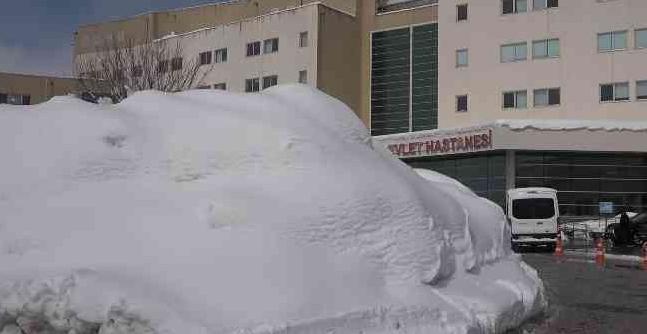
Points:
(214, 212)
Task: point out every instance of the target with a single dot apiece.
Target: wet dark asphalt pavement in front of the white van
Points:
(585, 297)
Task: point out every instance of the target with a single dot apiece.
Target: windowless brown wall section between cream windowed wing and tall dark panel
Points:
(338, 56)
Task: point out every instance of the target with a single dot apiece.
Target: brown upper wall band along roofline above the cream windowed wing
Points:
(154, 25)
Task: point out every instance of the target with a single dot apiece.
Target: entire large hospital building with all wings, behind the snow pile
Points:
(496, 93)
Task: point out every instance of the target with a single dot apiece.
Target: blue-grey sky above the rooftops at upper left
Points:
(36, 35)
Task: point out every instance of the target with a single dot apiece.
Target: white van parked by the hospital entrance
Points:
(533, 214)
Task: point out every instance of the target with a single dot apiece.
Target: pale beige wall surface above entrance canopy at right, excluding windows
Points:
(578, 71)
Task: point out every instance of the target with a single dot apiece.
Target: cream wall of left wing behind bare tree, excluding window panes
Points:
(286, 25)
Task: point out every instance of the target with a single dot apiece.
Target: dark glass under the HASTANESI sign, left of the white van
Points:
(483, 173)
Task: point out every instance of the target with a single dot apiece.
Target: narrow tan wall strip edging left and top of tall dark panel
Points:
(370, 21)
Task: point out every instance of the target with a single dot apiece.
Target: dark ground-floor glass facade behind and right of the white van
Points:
(584, 179)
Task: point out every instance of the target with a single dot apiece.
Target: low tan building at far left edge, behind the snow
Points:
(39, 88)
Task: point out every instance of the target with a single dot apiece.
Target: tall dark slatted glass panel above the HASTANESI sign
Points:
(404, 80)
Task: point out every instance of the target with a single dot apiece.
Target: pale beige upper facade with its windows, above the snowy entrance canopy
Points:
(545, 59)
